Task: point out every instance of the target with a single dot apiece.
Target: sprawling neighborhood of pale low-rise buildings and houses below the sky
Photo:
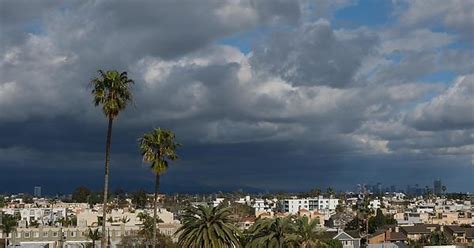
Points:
(393, 219)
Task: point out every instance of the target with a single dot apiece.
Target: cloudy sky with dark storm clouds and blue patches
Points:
(263, 95)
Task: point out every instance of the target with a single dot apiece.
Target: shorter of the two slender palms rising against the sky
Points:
(157, 148)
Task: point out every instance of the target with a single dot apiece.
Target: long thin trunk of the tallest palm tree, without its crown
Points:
(106, 182)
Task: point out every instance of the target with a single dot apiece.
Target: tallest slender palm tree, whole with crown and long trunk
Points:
(111, 90)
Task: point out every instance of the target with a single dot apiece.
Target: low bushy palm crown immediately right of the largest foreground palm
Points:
(272, 232)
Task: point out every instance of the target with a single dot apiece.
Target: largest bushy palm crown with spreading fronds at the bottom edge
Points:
(208, 227)
